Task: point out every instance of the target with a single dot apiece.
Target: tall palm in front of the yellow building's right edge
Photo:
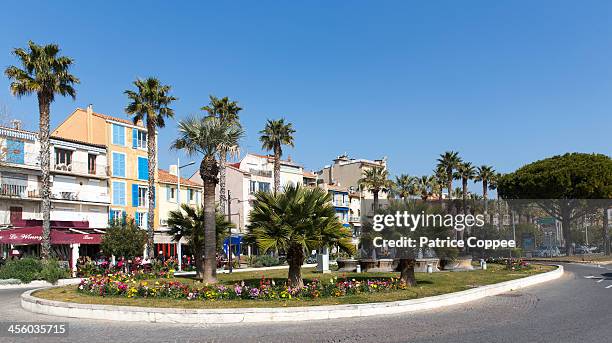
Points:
(150, 103)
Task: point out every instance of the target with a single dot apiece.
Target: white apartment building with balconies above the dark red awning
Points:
(79, 188)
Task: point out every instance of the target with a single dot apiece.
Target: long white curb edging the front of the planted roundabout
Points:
(250, 315)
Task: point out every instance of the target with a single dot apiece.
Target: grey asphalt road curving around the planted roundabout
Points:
(574, 308)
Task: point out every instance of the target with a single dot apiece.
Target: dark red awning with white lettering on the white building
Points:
(33, 235)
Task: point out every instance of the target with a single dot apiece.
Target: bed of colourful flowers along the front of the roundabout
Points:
(128, 286)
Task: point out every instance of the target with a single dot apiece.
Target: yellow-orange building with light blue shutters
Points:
(127, 159)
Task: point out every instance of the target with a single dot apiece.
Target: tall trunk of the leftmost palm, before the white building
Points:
(44, 108)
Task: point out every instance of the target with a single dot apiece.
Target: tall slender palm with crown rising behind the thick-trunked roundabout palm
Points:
(226, 110)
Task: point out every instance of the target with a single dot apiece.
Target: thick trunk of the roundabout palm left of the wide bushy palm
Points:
(209, 170)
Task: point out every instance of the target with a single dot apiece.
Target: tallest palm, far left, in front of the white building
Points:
(44, 72)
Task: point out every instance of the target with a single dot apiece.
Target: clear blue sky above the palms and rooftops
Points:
(503, 83)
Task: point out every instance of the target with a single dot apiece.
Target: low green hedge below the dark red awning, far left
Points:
(30, 269)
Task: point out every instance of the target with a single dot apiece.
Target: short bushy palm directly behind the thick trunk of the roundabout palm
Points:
(188, 222)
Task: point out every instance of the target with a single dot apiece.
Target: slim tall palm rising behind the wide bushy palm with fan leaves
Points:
(273, 137)
